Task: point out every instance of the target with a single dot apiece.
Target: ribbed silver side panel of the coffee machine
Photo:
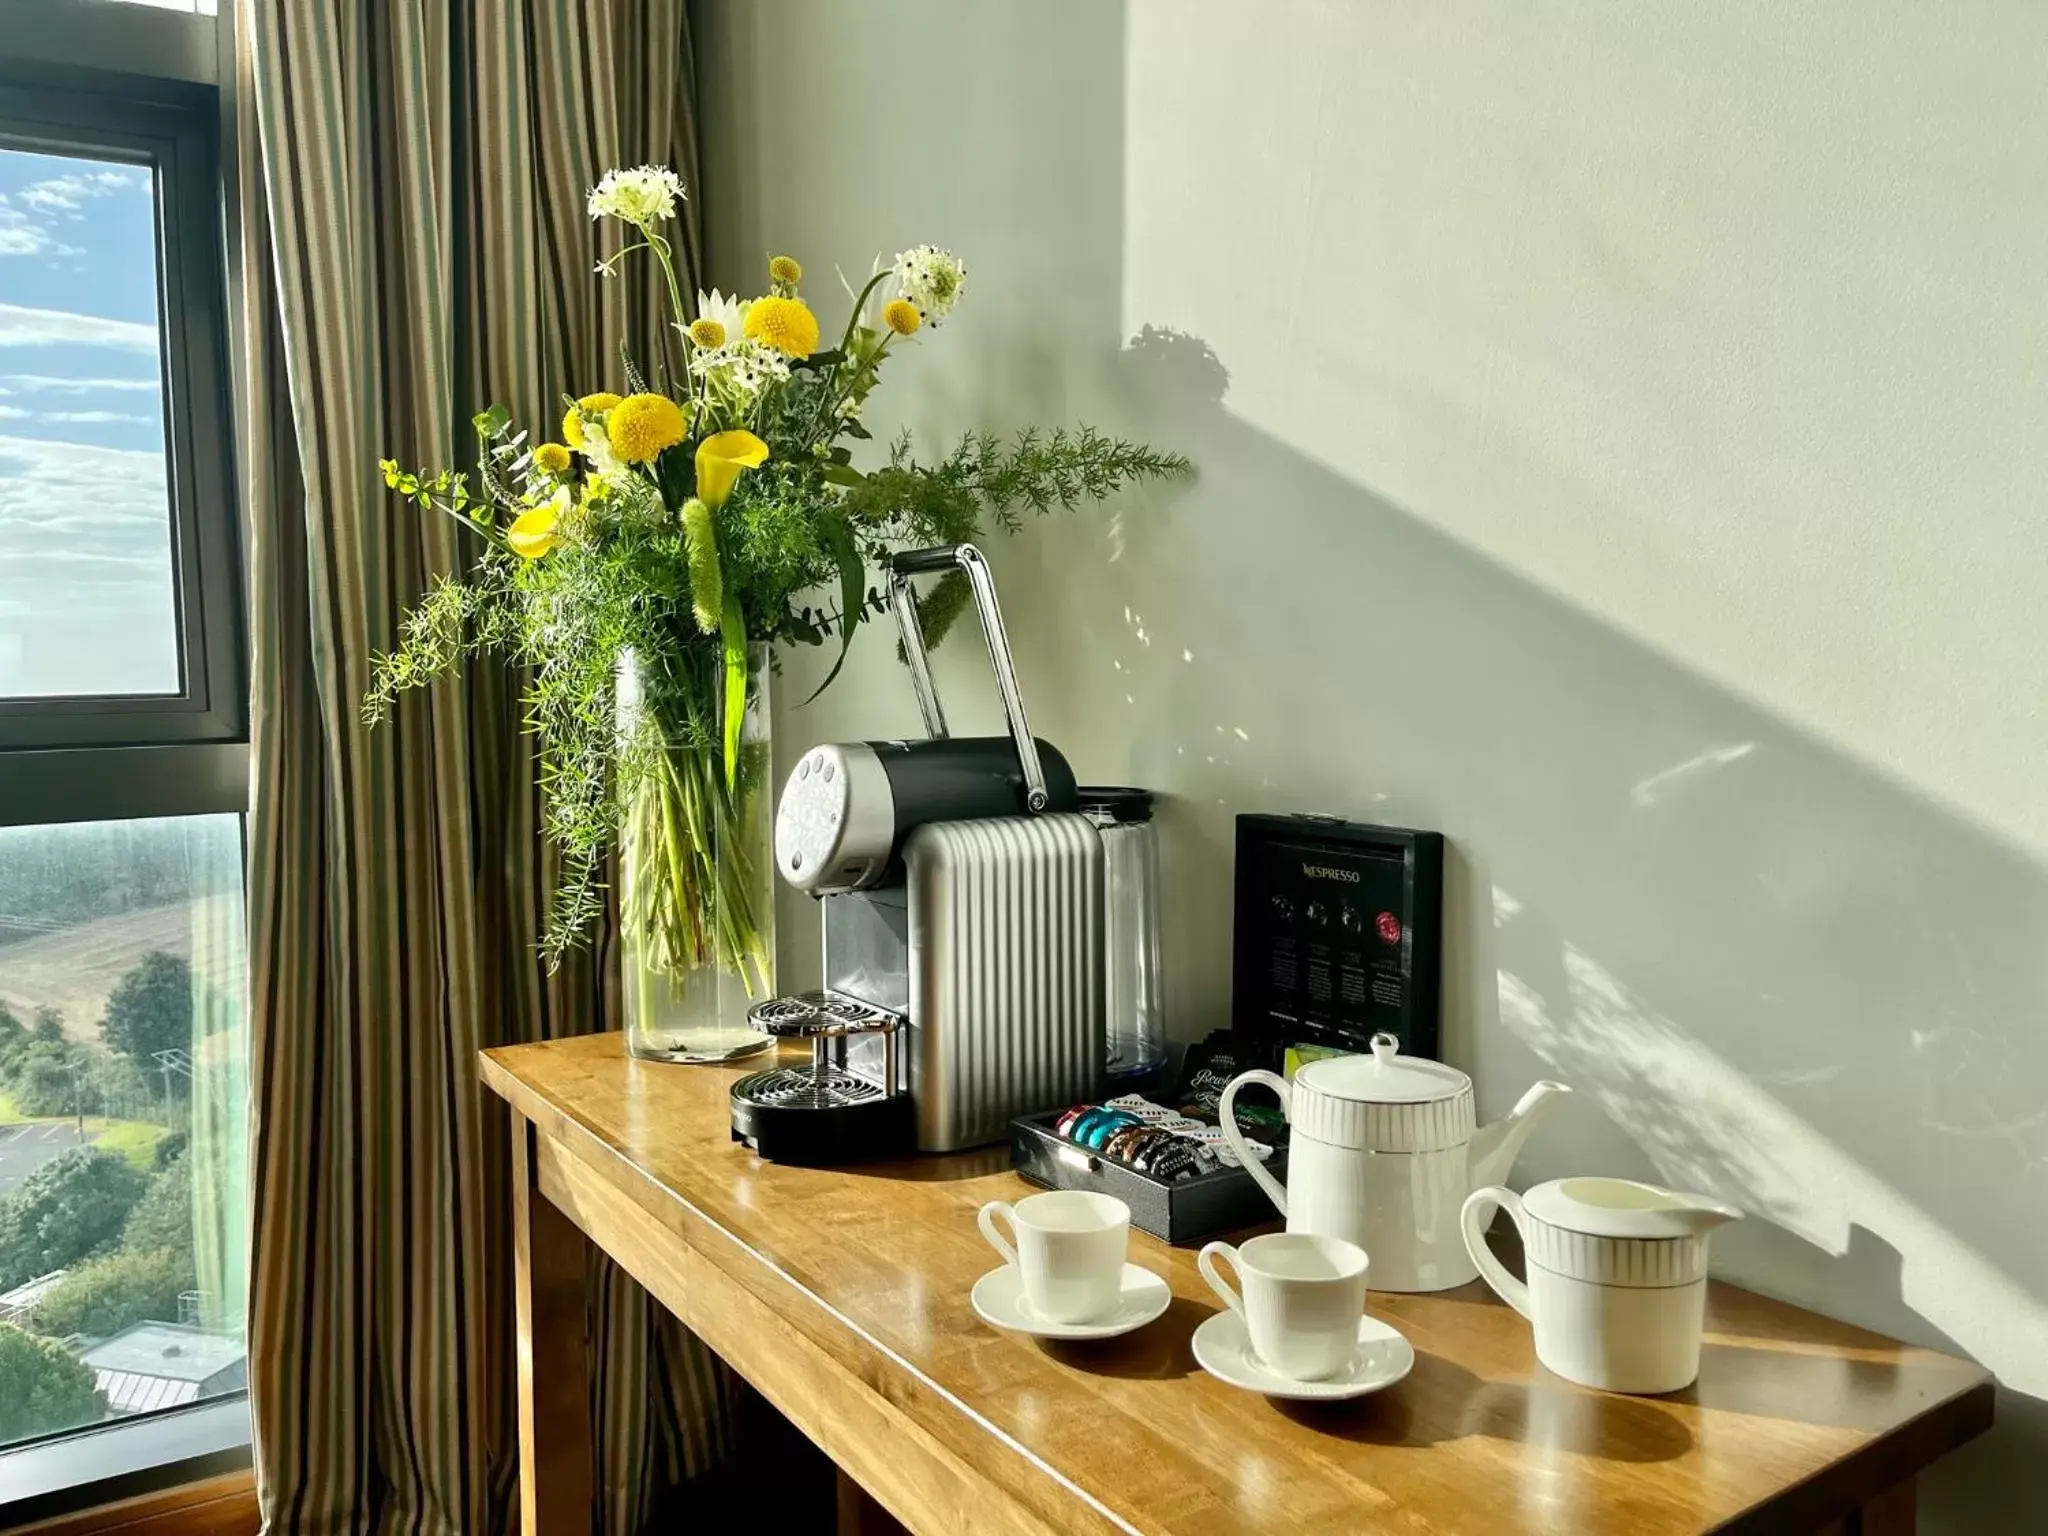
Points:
(1007, 974)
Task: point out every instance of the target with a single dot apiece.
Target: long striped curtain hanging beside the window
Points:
(415, 249)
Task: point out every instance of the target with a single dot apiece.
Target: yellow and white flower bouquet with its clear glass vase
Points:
(648, 560)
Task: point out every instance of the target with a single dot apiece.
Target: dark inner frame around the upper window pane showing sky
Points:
(173, 128)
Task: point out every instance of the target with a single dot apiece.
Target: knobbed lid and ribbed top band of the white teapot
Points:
(1383, 1103)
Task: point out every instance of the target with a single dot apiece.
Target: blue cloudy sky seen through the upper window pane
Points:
(87, 603)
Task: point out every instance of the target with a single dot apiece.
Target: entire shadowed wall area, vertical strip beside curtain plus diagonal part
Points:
(1770, 972)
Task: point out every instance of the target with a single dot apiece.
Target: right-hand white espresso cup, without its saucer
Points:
(1302, 1299)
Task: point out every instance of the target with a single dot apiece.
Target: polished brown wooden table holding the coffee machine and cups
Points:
(841, 1295)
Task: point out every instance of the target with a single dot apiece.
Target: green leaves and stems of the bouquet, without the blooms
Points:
(636, 566)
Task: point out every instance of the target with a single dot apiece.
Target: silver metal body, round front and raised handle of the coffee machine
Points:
(984, 933)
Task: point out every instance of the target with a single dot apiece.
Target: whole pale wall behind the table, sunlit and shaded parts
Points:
(1621, 443)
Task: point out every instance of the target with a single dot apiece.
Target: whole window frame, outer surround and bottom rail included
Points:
(93, 71)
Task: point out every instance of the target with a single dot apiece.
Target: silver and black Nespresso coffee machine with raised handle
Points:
(964, 912)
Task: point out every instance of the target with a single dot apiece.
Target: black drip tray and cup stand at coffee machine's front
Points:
(824, 1111)
